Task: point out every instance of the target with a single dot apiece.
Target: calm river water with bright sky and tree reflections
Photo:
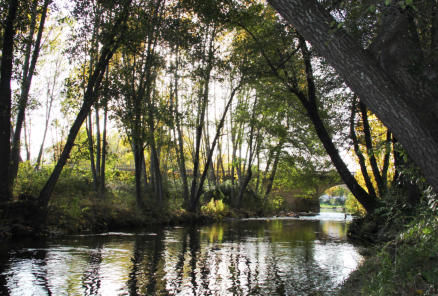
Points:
(279, 256)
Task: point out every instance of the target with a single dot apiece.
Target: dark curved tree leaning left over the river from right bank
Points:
(289, 59)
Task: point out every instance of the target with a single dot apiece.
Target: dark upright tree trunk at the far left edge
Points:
(5, 100)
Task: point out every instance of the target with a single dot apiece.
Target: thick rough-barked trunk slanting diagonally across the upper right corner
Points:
(412, 119)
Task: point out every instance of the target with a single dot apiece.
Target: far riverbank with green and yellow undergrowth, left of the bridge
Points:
(81, 215)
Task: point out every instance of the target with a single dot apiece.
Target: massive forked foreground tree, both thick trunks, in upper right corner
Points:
(404, 100)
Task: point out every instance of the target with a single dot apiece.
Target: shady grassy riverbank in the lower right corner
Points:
(405, 263)
